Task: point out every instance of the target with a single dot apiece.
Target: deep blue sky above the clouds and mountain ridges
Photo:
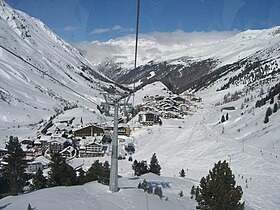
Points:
(88, 20)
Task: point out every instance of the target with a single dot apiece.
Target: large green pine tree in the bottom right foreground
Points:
(217, 190)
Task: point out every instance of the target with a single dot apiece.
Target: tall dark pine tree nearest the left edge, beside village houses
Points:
(14, 170)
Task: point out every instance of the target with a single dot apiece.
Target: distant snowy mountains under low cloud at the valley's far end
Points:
(178, 59)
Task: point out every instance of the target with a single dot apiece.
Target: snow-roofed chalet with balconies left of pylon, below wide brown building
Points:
(93, 149)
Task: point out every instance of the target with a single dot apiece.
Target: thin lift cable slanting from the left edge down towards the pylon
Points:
(56, 80)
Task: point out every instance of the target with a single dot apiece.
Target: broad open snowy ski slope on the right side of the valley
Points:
(196, 142)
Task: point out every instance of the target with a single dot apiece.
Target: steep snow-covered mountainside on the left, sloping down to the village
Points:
(40, 74)
